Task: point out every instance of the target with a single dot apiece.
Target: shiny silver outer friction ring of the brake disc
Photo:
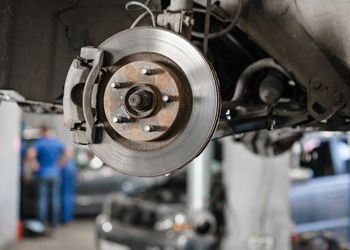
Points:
(205, 110)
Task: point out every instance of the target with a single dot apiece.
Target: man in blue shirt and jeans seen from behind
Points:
(46, 156)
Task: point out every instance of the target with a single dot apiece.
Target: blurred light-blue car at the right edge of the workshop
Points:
(320, 192)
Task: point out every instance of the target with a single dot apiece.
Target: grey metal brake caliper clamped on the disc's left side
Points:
(78, 89)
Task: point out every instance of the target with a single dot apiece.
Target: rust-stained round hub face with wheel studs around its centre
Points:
(162, 82)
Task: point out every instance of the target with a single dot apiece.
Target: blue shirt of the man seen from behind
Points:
(49, 152)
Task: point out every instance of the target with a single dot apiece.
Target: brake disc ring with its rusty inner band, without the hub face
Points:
(199, 104)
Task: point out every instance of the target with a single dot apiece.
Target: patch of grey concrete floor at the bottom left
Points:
(76, 236)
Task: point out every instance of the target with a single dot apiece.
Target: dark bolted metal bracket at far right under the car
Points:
(324, 100)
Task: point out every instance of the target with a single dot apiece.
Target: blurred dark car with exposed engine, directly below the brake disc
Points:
(158, 218)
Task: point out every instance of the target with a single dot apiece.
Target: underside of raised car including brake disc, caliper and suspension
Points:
(153, 82)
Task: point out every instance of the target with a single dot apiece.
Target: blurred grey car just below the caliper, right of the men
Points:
(95, 180)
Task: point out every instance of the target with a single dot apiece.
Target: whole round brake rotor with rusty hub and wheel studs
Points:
(158, 102)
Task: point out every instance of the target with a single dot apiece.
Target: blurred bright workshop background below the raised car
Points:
(228, 198)
